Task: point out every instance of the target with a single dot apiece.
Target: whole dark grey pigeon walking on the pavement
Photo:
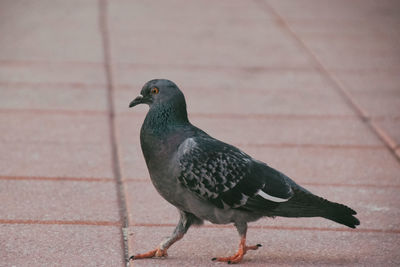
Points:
(210, 180)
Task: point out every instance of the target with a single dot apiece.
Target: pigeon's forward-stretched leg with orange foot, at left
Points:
(184, 223)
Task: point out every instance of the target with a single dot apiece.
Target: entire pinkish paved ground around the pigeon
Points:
(311, 87)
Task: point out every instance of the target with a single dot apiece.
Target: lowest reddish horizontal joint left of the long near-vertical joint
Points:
(61, 222)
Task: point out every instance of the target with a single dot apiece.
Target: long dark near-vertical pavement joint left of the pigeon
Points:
(121, 193)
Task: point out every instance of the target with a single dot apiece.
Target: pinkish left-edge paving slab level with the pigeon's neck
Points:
(28, 127)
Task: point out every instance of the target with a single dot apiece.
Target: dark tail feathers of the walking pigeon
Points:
(305, 204)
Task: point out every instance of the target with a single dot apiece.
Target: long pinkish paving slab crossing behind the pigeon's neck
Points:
(269, 130)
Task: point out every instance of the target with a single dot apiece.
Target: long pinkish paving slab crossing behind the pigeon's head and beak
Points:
(290, 102)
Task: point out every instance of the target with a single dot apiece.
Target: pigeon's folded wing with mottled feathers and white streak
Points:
(228, 177)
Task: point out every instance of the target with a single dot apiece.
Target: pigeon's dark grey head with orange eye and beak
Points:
(159, 92)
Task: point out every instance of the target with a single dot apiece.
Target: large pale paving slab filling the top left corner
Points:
(51, 30)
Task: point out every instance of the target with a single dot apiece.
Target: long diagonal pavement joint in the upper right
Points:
(340, 88)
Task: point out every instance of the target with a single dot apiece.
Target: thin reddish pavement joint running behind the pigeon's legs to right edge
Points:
(287, 228)
